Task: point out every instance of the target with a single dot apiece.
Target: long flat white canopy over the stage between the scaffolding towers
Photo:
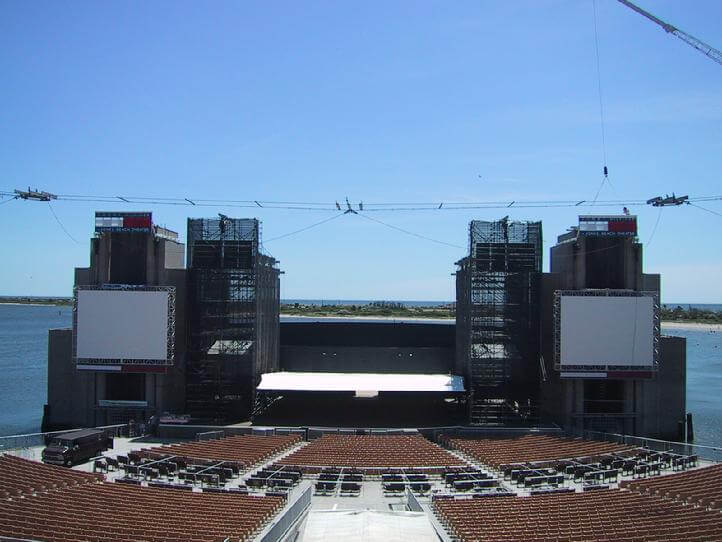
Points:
(360, 382)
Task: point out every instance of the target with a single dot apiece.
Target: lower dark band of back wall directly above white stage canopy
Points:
(367, 359)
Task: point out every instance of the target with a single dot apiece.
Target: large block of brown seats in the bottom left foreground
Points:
(105, 512)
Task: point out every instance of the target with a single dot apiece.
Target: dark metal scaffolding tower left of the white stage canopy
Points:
(234, 302)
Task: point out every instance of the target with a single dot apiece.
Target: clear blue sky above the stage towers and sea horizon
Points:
(377, 101)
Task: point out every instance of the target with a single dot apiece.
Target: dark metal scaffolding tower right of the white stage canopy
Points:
(497, 322)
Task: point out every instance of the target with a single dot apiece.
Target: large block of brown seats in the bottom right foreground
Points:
(603, 516)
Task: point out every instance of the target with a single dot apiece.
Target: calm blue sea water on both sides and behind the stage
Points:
(24, 351)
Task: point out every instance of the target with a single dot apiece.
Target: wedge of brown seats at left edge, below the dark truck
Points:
(22, 477)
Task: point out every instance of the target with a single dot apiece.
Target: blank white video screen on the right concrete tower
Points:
(602, 330)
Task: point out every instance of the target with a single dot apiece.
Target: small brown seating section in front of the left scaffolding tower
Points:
(246, 450)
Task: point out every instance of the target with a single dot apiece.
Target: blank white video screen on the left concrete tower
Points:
(113, 324)
